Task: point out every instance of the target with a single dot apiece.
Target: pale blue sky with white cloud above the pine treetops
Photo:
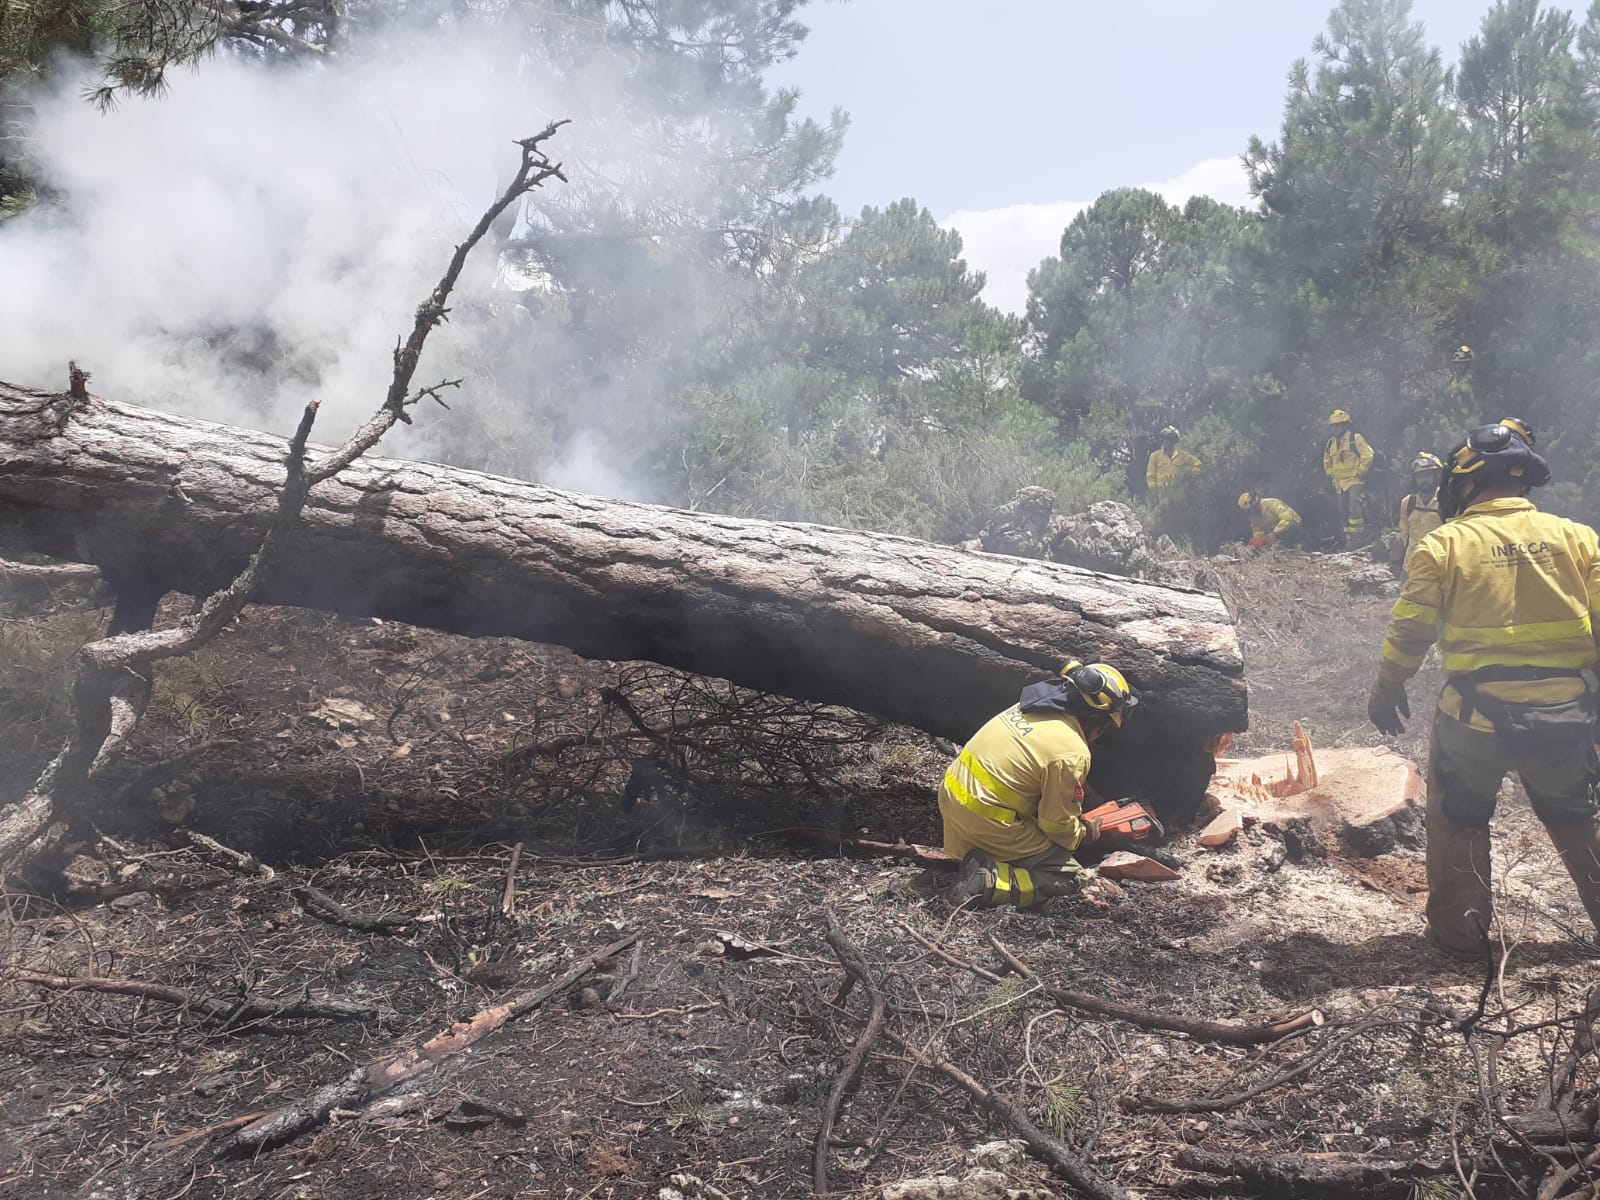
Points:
(1006, 118)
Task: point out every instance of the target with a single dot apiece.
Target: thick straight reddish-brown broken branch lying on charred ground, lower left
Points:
(375, 1079)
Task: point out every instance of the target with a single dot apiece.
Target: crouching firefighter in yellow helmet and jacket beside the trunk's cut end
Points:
(1014, 799)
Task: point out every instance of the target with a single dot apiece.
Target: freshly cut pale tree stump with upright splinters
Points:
(1370, 798)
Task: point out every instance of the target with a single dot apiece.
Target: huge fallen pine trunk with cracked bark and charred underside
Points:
(921, 634)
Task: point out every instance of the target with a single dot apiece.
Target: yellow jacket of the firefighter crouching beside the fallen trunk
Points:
(1017, 790)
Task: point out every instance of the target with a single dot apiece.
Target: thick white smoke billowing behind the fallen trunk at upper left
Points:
(260, 238)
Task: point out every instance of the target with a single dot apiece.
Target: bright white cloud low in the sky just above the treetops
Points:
(1009, 242)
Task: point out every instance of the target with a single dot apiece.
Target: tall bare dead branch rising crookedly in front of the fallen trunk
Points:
(110, 676)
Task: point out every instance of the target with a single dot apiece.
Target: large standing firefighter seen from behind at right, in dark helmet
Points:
(1511, 596)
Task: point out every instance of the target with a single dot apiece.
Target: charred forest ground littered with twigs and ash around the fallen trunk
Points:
(394, 770)
